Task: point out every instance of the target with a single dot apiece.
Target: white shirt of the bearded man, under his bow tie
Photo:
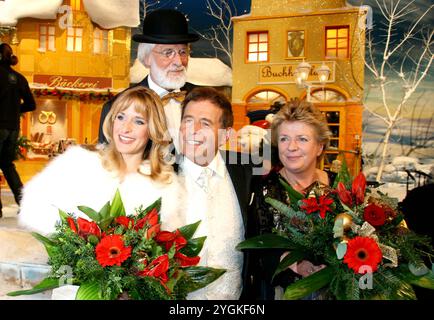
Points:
(172, 111)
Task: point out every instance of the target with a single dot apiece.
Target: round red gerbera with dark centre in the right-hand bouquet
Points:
(362, 251)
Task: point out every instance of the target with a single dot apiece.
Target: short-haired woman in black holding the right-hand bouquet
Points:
(300, 133)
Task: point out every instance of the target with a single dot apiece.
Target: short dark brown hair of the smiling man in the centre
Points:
(216, 98)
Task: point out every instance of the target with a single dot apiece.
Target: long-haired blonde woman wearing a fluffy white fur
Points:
(135, 161)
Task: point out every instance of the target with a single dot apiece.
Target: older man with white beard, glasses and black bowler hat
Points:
(164, 50)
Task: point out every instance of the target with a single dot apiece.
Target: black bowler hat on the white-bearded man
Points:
(165, 26)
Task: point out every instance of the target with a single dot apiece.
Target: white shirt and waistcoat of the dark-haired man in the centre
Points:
(222, 224)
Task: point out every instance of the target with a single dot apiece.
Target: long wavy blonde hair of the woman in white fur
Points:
(148, 104)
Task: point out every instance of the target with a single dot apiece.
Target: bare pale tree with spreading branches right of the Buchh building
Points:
(413, 67)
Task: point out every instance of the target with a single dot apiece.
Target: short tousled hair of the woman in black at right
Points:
(306, 112)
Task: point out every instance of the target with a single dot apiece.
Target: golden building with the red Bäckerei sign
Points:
(73, 66)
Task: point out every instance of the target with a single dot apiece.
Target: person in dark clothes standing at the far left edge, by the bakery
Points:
(15, 98)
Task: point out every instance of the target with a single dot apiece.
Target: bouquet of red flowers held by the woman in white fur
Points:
(115, 256)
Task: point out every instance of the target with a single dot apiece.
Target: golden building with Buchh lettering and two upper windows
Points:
(273, 40)
